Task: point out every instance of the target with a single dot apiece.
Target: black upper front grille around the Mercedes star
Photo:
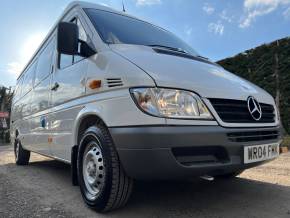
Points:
(236, 111)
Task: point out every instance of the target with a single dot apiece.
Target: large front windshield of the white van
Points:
(119, 29)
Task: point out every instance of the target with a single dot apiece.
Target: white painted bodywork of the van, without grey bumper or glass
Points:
(52, 130)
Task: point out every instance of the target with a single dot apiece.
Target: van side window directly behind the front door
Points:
(45, 62)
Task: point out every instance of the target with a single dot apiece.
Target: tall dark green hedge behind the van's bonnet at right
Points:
(260, 66)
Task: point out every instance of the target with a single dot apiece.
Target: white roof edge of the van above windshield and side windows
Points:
(72, 5)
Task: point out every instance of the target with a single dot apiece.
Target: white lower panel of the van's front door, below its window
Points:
(71, 85)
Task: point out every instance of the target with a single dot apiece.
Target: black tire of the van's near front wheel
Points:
(116, 186)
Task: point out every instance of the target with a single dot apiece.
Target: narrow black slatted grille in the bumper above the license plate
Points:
(253, 136)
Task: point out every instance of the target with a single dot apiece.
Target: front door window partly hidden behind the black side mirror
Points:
(68, 60)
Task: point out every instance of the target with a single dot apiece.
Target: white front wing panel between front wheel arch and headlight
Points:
(115, 109)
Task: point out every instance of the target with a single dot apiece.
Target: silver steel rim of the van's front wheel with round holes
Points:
(93, 170)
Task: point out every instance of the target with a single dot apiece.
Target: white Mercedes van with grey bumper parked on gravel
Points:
(120, 99)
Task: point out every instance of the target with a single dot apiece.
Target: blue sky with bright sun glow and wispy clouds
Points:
(215, 28)
